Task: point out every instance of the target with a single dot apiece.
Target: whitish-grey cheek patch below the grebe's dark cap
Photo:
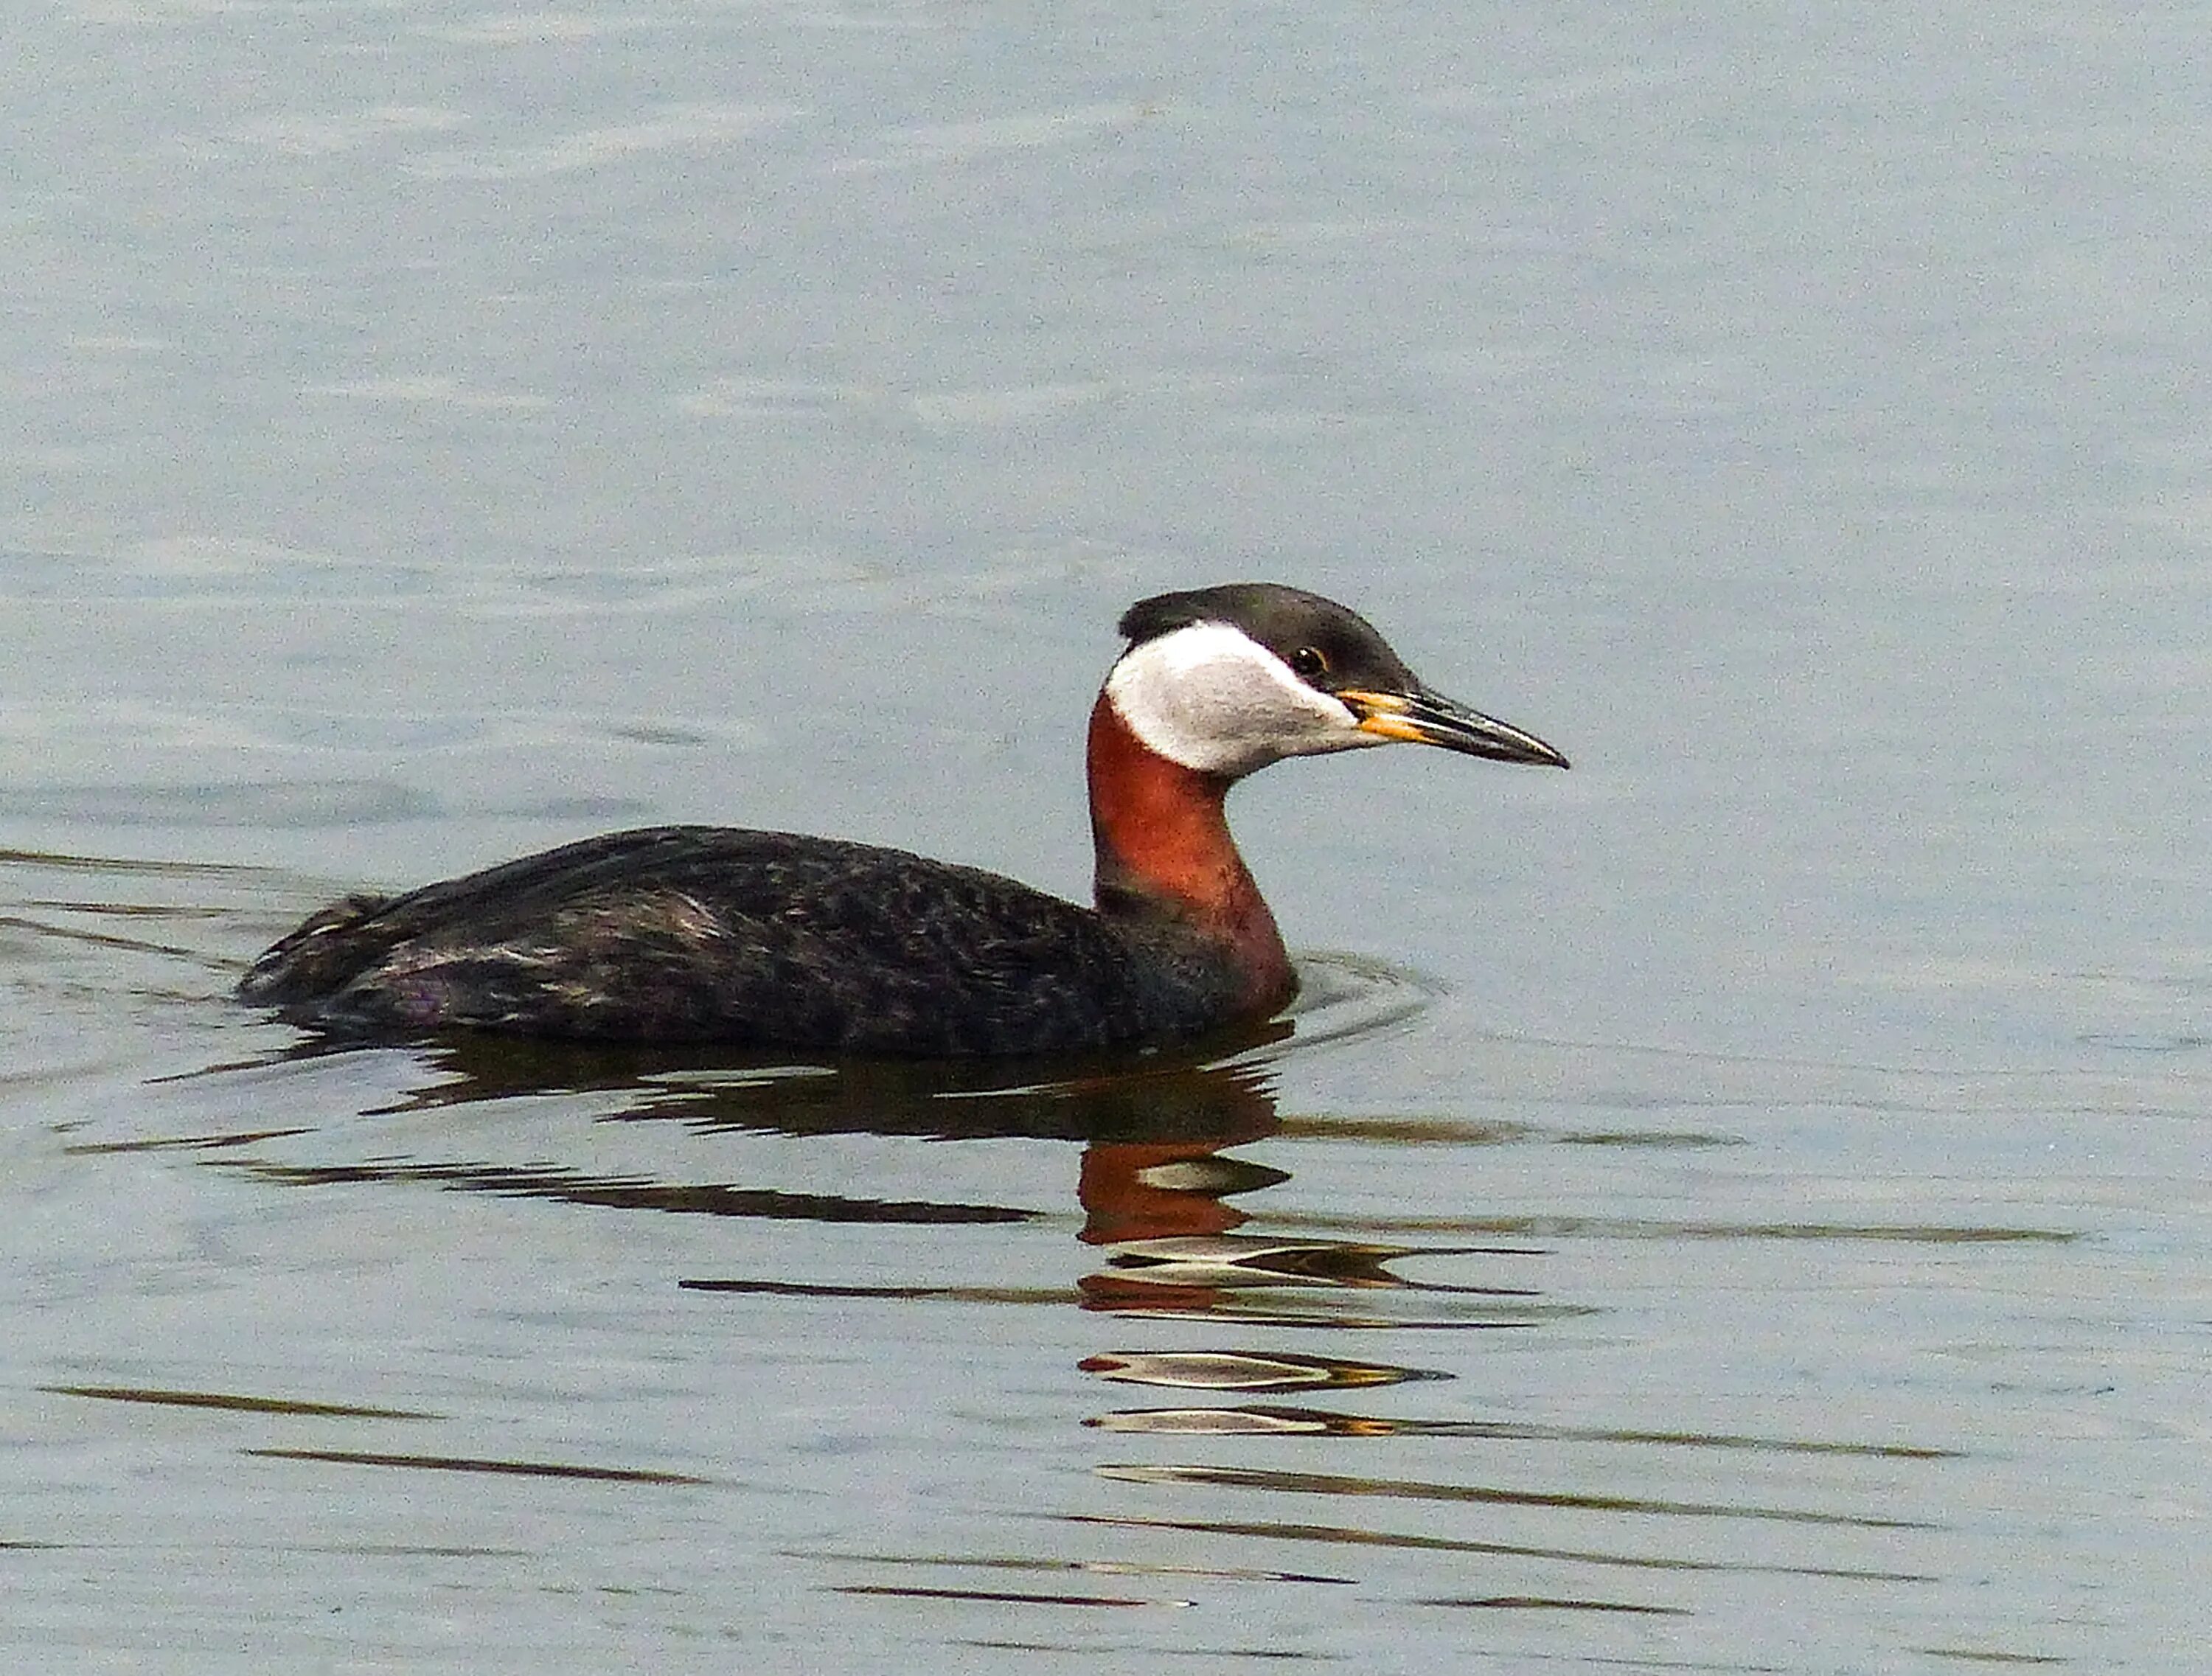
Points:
(1218, 702)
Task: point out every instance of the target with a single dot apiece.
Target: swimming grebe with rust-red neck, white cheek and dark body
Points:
(775, 941)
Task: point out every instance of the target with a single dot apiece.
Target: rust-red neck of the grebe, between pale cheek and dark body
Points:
(1165, 848)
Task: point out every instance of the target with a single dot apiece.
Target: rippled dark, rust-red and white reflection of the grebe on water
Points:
(1162, 1193)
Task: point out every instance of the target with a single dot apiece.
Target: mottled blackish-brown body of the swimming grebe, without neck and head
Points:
(749, 939)
